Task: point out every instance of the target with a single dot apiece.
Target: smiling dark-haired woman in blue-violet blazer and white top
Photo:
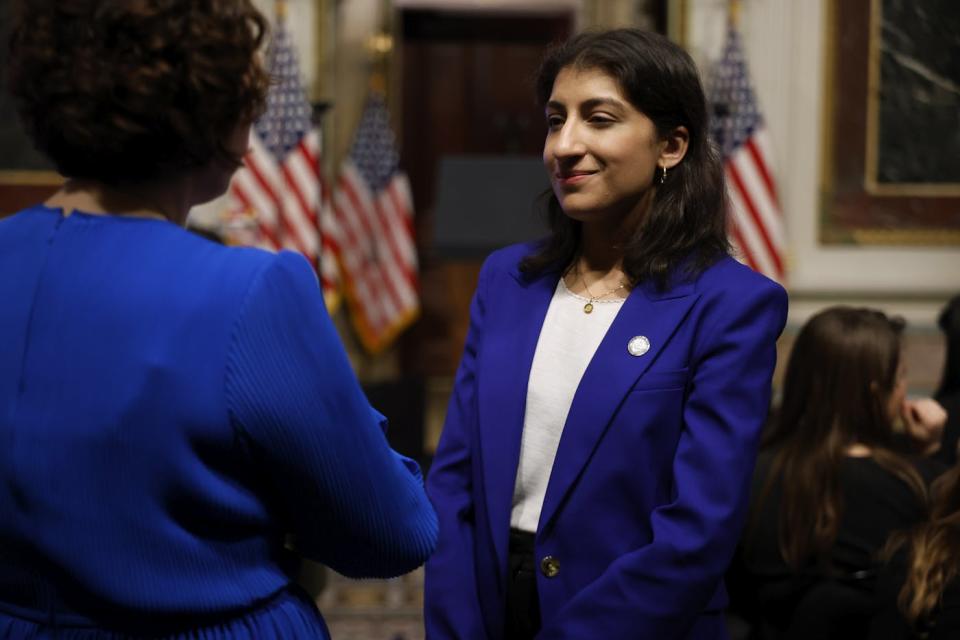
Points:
(593, 473)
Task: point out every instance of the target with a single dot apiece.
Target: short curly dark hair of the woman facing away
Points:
(125, 91)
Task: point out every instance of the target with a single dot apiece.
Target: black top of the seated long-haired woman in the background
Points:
(765, 589)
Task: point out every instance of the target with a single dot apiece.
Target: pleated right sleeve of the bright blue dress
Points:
(349, 500)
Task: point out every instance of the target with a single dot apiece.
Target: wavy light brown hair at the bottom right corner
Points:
(934, 551)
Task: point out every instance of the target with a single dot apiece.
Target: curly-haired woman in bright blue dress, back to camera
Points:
(171, 410)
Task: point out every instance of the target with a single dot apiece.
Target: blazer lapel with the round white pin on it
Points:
(611, 374)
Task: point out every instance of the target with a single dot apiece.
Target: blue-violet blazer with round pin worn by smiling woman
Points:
(649, 487)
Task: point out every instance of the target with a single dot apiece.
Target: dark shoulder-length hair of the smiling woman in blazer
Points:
(685, 229)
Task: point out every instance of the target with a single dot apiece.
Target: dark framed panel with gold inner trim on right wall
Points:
(891, 165)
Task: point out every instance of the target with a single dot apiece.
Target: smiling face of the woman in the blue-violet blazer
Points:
(601, 153)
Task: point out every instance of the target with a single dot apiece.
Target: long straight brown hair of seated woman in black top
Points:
(841, 373)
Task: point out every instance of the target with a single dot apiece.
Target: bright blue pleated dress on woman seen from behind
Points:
(175, 416)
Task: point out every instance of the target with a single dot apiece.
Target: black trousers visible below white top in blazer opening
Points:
(523, 606)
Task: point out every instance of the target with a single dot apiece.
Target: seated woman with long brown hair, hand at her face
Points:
(831, 483)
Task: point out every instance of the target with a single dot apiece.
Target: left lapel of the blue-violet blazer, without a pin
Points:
(502, 393)
